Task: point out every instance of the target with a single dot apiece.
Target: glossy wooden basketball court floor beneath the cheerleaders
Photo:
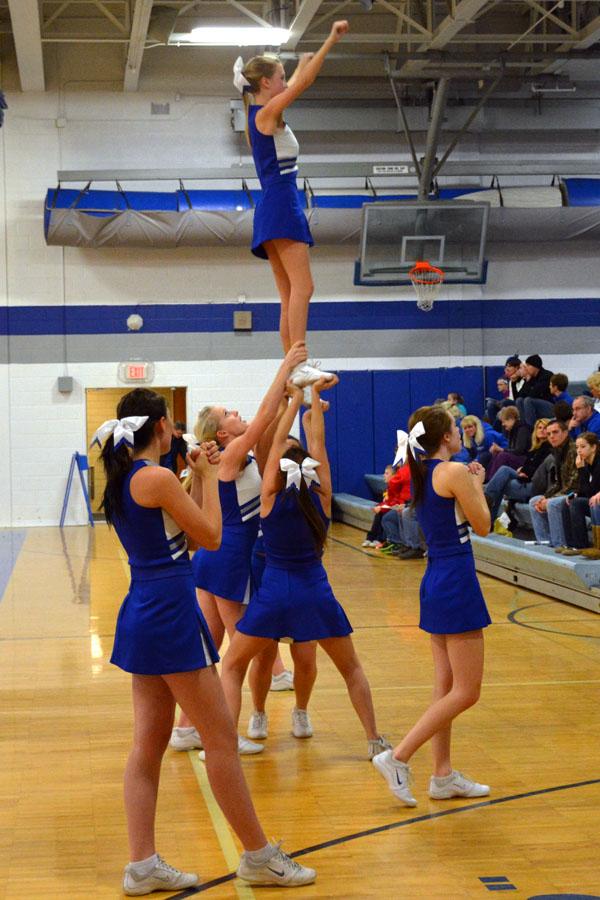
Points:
(66, 724)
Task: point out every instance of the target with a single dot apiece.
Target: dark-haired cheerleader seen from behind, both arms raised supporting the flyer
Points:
(295, 601)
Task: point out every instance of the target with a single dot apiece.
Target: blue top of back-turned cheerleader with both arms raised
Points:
(288, 540)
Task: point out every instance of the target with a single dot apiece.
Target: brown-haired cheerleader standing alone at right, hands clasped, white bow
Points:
(448, 497)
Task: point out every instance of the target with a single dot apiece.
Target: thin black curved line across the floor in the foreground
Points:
(380, 829)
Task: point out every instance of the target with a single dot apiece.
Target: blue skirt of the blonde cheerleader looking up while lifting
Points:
(226, 572)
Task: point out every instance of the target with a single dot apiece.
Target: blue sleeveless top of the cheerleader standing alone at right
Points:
(442, 521)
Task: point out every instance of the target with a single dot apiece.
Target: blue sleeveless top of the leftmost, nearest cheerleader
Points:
(154, 542)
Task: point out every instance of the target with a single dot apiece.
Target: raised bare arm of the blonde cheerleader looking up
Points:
(236, 451)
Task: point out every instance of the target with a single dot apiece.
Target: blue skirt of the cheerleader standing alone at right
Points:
(451, 598)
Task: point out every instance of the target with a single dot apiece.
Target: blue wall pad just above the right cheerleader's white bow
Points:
(391, 409)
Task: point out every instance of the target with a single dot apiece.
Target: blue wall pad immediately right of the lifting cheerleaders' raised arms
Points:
(354, 429)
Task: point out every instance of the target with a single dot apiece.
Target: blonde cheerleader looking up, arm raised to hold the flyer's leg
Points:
(223, 577)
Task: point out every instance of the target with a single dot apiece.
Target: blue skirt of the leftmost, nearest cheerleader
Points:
(161, 630)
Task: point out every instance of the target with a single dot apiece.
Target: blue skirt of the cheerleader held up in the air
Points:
(279, 214)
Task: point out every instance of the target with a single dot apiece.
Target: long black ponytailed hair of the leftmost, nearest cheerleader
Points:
(118, 462)
